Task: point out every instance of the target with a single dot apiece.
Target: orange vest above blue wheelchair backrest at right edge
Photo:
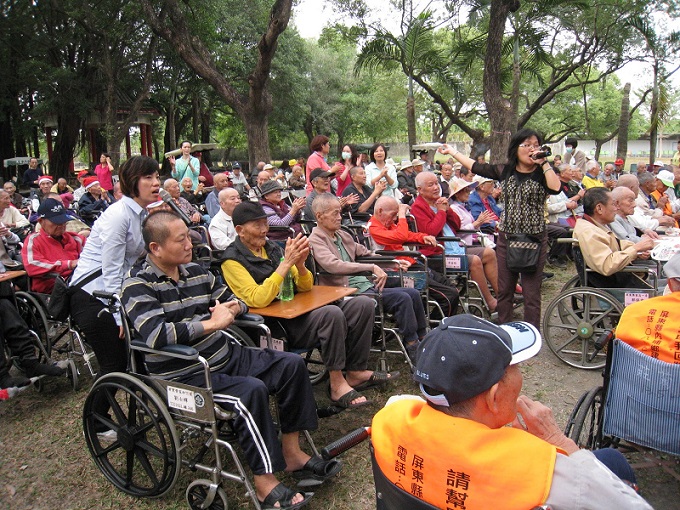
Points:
(652, 326)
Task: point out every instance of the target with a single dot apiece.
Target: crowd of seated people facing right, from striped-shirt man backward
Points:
(254, 268)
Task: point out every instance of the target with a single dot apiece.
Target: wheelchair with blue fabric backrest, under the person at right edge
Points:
(635, 409)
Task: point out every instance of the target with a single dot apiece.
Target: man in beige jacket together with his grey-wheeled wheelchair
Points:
(611, 274)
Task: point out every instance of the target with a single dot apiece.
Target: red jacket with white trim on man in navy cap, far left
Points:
(45, 258)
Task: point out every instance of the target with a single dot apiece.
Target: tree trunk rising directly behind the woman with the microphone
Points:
(499, 108)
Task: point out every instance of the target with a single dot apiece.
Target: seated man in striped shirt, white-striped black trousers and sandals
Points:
(173, 301)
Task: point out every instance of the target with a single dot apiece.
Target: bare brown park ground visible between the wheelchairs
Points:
(45, 463)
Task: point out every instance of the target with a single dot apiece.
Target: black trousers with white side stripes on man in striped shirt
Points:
(243, 386)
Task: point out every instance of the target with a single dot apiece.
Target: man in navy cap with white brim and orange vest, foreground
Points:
(468, 374)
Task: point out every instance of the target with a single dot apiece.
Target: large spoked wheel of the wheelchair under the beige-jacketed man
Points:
(574, 320)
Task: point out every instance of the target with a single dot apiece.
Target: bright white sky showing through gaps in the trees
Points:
(310, 17)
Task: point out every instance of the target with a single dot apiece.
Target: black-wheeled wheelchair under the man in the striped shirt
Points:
(155, 421)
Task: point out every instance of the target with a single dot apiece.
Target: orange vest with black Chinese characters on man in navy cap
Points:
(455, 463)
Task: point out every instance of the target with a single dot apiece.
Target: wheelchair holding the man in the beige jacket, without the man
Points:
(579, 314)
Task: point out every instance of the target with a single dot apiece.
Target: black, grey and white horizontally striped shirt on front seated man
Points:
(165, 312)
